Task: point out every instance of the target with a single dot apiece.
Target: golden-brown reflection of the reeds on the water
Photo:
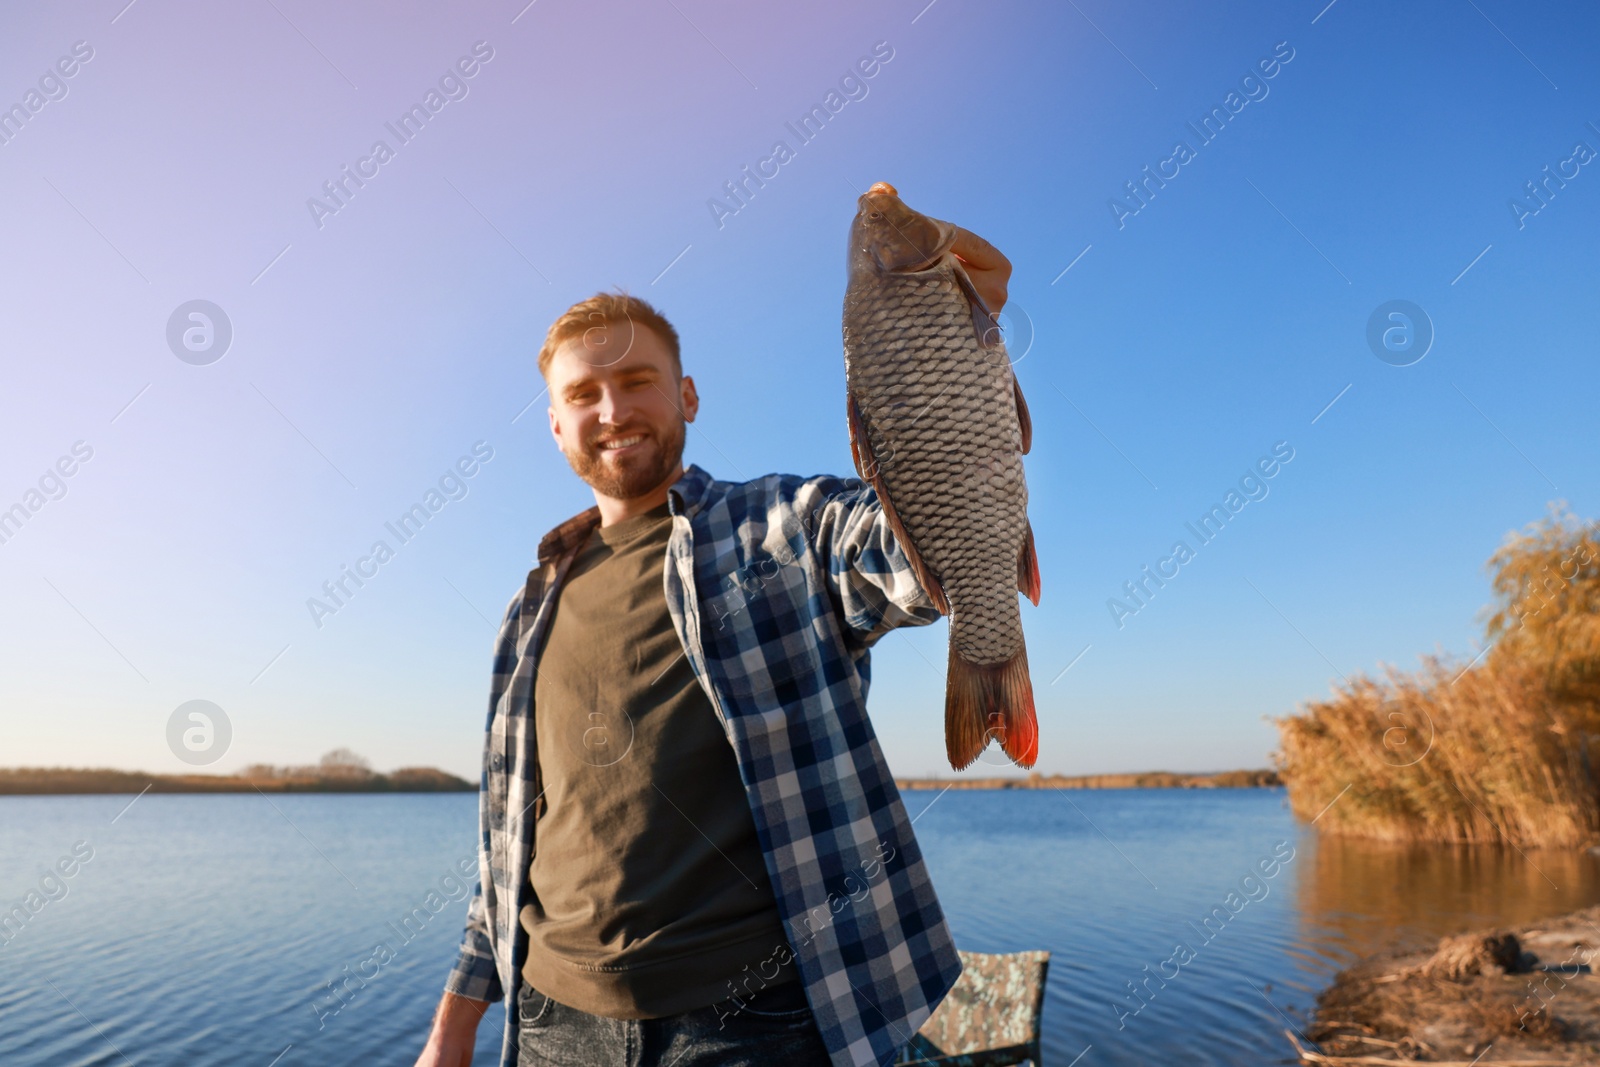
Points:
(1358, 898)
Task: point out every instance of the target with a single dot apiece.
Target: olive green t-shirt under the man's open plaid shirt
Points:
(650, 889)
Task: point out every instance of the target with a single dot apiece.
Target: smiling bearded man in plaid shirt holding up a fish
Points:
(692, 847)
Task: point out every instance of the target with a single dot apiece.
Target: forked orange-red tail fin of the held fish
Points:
(990, 703)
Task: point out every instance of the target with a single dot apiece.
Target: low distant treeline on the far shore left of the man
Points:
(340, 772)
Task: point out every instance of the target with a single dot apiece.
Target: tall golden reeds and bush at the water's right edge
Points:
(1498, 749)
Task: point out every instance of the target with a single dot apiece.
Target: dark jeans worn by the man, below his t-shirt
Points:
(774, 1028)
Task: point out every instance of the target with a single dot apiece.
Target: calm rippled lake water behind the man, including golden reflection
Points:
(207, 929)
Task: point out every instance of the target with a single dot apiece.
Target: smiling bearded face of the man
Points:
(618, 409)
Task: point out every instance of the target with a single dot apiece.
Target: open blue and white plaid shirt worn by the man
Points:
(777, 588)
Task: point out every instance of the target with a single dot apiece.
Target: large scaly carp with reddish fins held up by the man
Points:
(938, 428)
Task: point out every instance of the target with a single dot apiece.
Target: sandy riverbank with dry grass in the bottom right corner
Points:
(1519, 996)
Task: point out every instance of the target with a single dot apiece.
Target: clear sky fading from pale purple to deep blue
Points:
(1166, 346)
